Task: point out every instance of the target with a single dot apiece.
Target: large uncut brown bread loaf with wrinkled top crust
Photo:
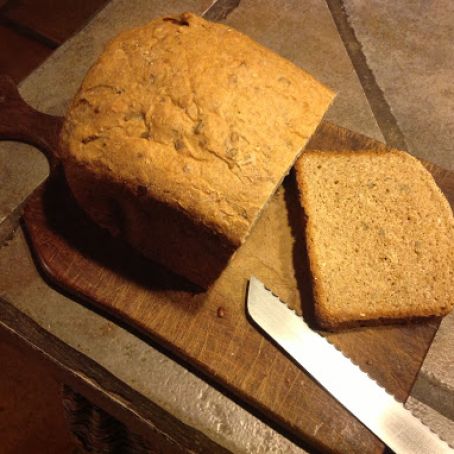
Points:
(180, 133)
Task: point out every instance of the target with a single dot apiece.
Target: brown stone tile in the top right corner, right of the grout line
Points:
(409, 48)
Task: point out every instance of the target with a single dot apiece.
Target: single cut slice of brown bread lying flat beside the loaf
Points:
(379, 236)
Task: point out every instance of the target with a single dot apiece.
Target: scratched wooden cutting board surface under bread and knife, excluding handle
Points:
(210, 330)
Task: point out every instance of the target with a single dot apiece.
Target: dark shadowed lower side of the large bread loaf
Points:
(154, 229)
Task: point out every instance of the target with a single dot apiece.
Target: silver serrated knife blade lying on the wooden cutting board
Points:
(388, 419)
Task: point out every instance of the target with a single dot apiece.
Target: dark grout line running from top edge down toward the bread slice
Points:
(374, 94)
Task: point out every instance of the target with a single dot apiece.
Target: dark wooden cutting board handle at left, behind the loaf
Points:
(19, 121)
